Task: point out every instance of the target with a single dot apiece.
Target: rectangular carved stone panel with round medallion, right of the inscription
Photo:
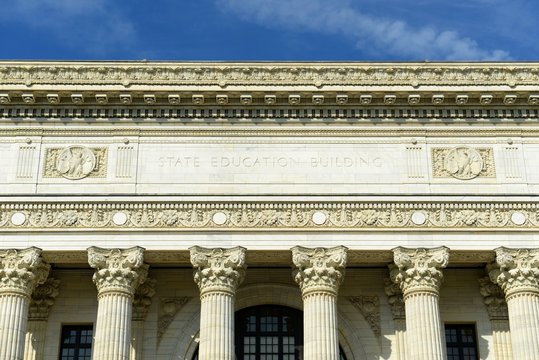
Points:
(463, 163)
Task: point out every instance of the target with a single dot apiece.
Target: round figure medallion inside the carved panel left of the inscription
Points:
(75, 162)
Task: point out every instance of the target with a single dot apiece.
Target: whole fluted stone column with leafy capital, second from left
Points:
(118, 274)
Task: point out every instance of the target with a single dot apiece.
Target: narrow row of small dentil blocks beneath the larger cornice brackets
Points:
(227, 115)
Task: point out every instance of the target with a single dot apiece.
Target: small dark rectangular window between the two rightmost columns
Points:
(461, 342)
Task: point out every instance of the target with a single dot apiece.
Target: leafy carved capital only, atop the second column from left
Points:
(118, 270)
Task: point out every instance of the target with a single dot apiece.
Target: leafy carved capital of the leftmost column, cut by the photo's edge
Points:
(22, 270)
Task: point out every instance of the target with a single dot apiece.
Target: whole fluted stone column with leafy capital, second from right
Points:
(418, 273)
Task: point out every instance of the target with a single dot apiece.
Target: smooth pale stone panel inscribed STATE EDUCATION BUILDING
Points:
(269, 163)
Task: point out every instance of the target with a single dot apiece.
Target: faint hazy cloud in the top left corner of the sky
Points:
(93, 25)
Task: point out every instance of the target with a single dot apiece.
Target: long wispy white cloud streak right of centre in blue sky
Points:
(339, 17)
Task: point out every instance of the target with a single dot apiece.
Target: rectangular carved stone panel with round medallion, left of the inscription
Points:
(75, 162)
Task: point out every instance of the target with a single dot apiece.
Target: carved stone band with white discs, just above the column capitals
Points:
(267, 216)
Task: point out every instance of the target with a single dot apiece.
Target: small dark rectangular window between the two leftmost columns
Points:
(76, 342)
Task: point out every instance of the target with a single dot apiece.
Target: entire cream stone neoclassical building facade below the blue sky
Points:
(272, 211)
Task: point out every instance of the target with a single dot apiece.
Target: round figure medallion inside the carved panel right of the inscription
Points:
(463, 163)
